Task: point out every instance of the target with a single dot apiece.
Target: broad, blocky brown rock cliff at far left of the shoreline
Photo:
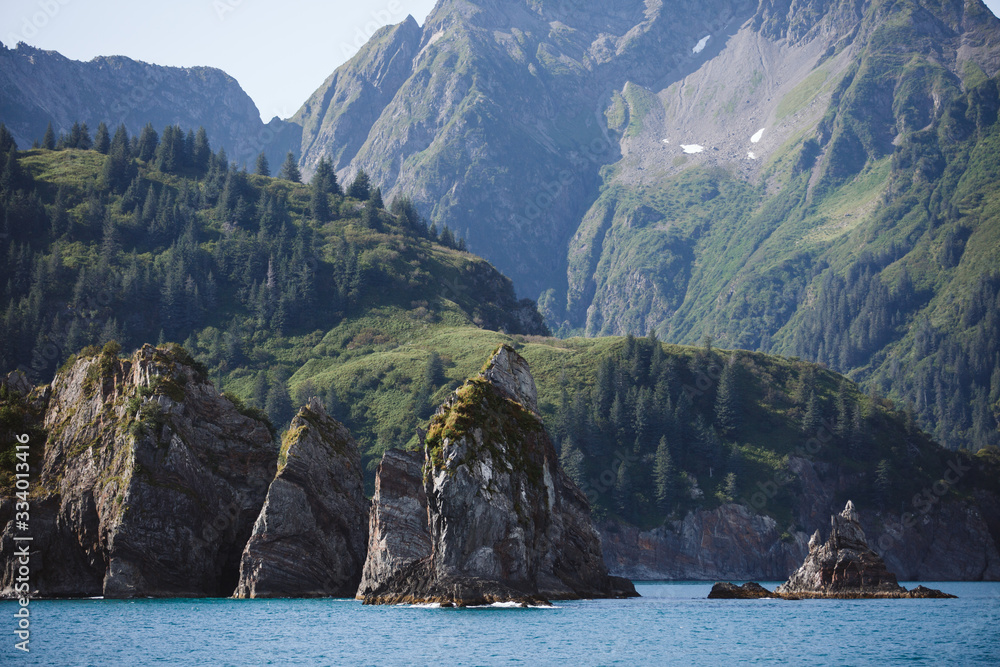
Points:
(150, 481)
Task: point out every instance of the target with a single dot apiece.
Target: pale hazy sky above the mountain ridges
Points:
(280, 52)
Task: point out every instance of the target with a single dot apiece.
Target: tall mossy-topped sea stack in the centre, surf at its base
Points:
(502, 521)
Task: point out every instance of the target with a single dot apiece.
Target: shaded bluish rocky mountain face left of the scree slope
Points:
(490, 116)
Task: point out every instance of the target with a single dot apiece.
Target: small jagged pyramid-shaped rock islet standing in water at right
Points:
(845, 566)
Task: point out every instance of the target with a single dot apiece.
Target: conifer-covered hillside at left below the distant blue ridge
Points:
(157, 238)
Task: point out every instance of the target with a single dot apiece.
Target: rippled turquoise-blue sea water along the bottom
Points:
(672, 623)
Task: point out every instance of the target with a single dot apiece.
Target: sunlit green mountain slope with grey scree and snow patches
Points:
(843, 209)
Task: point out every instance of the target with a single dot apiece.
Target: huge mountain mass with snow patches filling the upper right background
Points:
(808, 178)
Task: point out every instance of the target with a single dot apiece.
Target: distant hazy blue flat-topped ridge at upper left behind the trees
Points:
(40, 87)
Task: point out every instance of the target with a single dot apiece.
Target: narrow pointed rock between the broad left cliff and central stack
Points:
(312, 533)
